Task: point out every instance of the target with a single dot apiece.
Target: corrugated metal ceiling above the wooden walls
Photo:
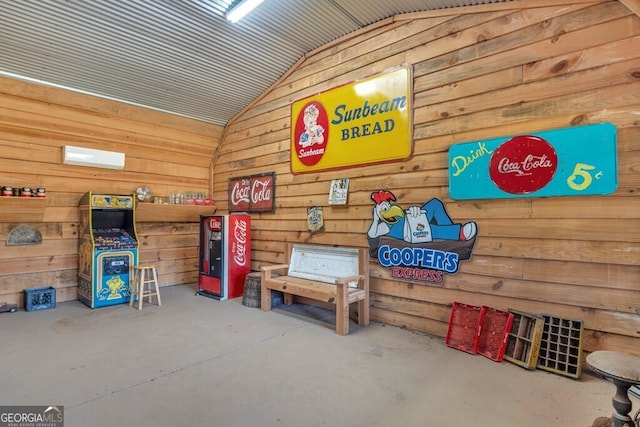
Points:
(179, 56)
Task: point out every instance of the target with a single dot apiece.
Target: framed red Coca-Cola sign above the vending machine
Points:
(253, 193)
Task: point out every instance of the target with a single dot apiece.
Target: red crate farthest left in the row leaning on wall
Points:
(464, 327)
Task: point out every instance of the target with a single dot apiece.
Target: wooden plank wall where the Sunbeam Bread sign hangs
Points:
(479, 72)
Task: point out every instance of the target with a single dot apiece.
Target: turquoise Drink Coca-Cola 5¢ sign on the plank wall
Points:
(576, 161)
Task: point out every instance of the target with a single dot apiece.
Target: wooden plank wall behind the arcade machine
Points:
(163, 151)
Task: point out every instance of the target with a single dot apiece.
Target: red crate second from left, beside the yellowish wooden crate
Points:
(494, 333)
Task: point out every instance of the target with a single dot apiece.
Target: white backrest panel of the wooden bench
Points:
(323, 263)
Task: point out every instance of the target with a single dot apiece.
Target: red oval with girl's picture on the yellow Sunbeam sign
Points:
(311, 133)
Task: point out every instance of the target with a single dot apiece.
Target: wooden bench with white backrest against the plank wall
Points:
(334, 275)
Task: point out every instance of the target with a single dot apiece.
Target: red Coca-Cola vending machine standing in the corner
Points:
(225, 255)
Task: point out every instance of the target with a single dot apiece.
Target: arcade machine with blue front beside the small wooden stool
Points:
(108, 249)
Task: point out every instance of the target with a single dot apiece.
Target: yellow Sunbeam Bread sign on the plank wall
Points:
(364, 122)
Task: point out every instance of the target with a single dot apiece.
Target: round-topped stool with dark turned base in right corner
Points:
(623, 370)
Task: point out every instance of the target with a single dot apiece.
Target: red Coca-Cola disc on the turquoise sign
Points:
(523, 164)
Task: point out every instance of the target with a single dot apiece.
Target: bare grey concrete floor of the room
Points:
(196, 361)
